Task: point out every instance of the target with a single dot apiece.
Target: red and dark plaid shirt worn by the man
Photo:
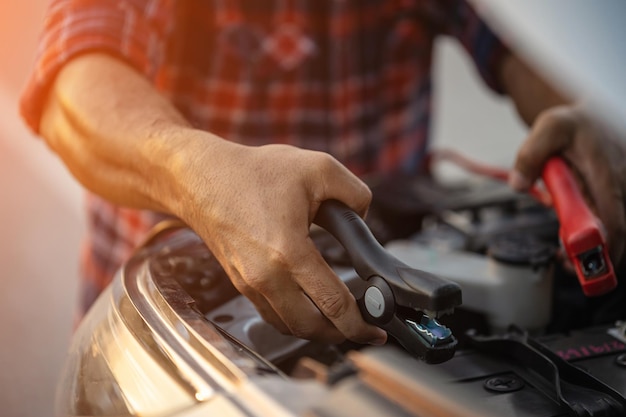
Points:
(347, 77)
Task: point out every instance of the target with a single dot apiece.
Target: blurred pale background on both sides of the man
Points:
(41, 216)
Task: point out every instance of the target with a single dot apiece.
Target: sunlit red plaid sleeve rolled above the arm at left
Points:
(132, 30)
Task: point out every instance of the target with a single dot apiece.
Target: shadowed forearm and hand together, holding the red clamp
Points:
(596, 156)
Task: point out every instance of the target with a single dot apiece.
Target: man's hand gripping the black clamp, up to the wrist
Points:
(255, 218)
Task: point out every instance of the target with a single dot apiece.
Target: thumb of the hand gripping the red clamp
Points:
(551, 133)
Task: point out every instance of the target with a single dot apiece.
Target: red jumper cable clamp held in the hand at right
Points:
(580, 230)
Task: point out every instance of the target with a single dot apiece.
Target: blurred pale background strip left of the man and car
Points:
(41, 223)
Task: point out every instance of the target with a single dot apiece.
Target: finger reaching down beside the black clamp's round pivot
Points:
(334, 300)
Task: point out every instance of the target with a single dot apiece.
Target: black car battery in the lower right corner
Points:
(581, 374)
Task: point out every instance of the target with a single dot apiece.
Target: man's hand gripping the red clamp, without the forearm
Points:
(596, 156)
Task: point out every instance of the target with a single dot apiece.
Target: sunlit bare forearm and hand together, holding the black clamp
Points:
(252, 206)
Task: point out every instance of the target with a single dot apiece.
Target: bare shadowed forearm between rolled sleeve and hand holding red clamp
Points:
(530, 93)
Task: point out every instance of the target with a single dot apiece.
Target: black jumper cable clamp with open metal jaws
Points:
(404, 301)
